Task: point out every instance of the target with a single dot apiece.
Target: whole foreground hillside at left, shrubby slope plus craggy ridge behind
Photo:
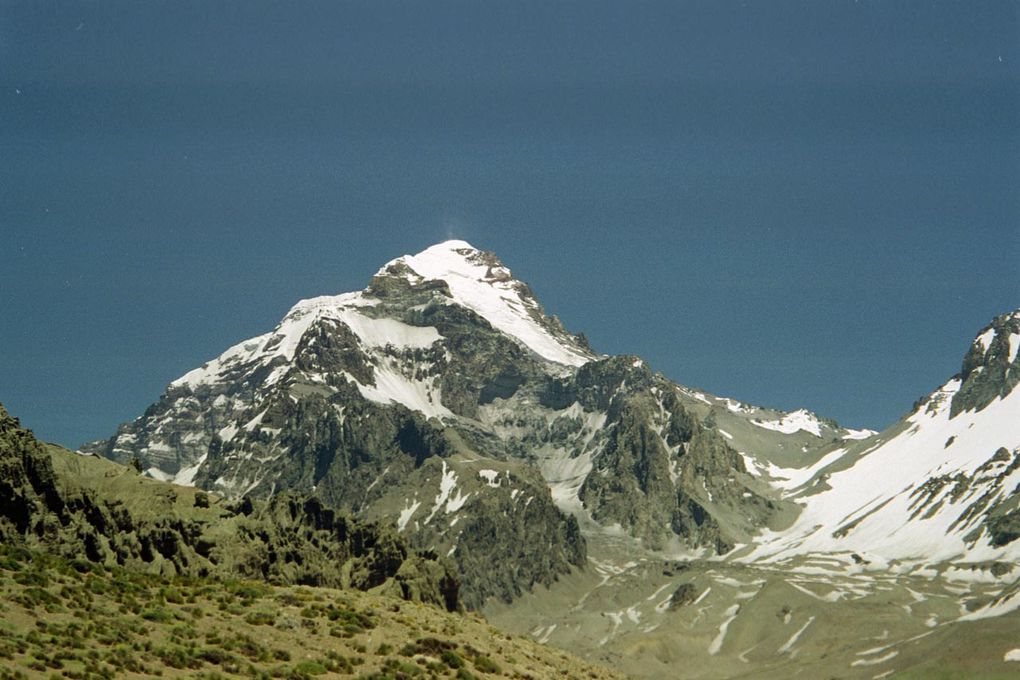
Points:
(106, 573)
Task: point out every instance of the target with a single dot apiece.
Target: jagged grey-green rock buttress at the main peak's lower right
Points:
(662, 474)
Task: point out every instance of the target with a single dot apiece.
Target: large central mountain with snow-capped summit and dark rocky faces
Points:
(444, 399)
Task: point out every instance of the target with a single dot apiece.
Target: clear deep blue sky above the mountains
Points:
(796, 204)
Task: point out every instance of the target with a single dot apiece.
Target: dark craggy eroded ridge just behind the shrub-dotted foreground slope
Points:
(85, 507)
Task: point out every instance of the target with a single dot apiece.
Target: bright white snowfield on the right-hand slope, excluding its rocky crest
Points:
(872, 501)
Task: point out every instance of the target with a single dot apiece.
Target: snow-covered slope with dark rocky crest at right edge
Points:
(940, 487)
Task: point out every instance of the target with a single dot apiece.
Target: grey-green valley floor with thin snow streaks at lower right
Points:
(813, 617)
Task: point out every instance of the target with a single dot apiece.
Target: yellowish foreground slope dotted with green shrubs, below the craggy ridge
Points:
(76, 619)
